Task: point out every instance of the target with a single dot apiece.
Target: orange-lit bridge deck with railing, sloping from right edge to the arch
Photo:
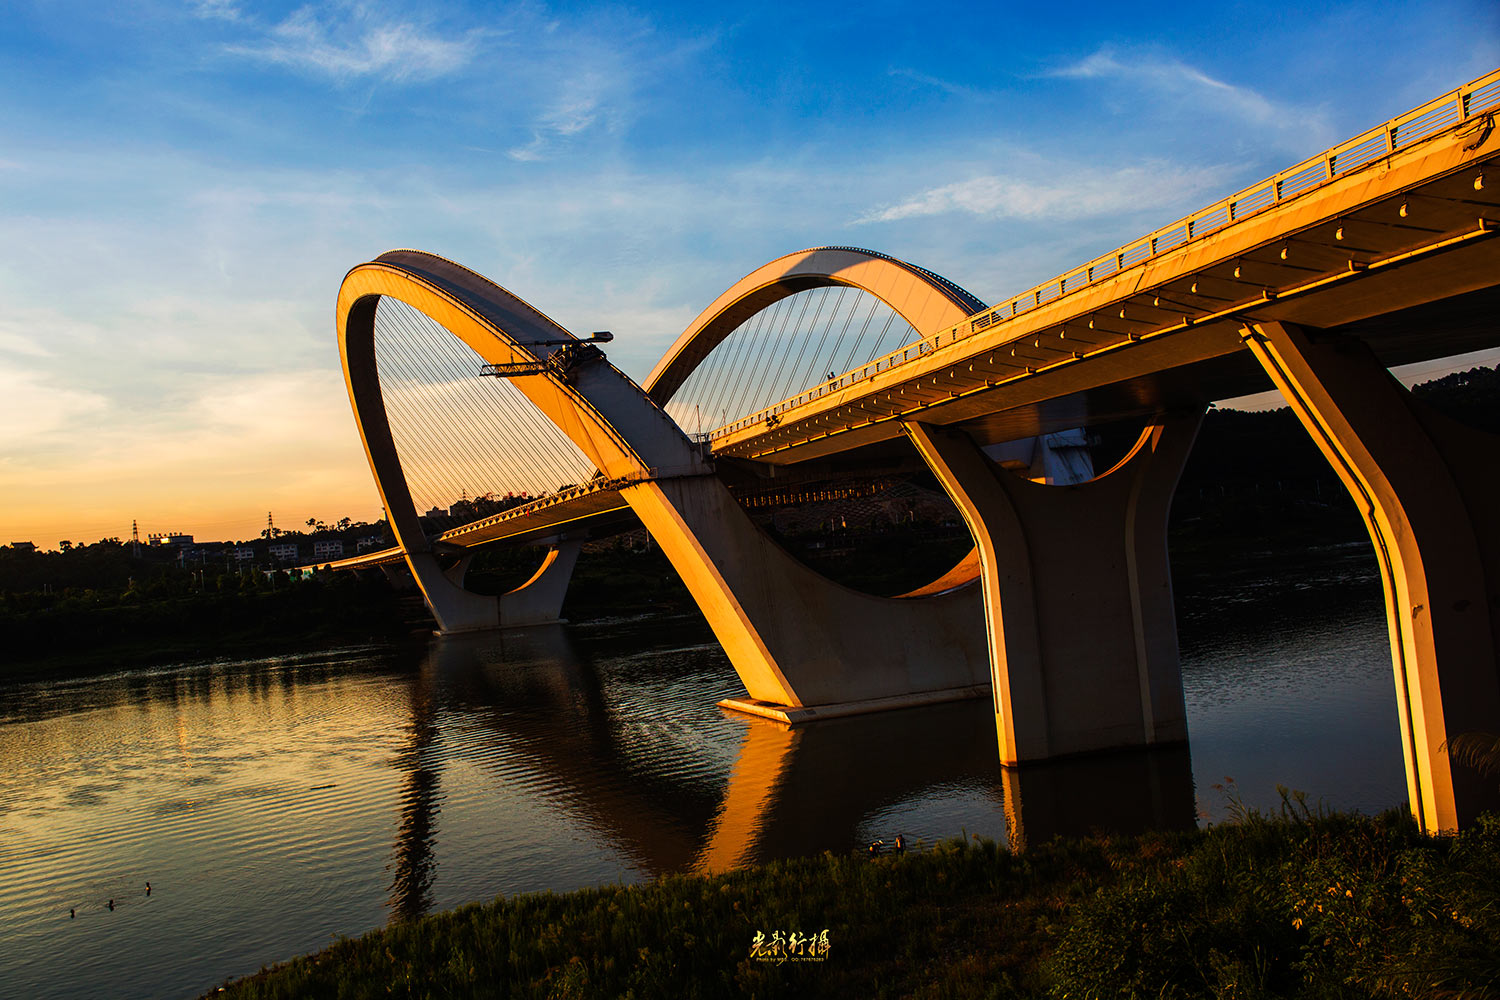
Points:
(1324, 245)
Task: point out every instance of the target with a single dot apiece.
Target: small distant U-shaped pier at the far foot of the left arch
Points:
(536, 602)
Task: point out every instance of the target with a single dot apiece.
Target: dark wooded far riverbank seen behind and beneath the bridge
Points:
(1255, 490)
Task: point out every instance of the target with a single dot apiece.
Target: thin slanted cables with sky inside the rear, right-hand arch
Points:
(788, 347)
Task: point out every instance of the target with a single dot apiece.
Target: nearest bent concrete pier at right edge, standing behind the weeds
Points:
(1429, 490)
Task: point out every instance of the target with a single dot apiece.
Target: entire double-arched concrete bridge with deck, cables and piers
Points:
(835, 364)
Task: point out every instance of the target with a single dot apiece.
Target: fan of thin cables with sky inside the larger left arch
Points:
(470, 446)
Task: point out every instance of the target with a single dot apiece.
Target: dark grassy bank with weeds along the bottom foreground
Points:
(1294, 906)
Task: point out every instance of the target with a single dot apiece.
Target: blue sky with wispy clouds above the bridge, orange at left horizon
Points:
(184, 185)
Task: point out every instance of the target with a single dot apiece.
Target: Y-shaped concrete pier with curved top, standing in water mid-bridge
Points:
(1078, 594)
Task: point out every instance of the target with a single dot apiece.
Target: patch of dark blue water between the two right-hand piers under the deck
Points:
(1286, 668)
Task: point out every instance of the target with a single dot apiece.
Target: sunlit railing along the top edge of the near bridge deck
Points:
(1456, 107)
